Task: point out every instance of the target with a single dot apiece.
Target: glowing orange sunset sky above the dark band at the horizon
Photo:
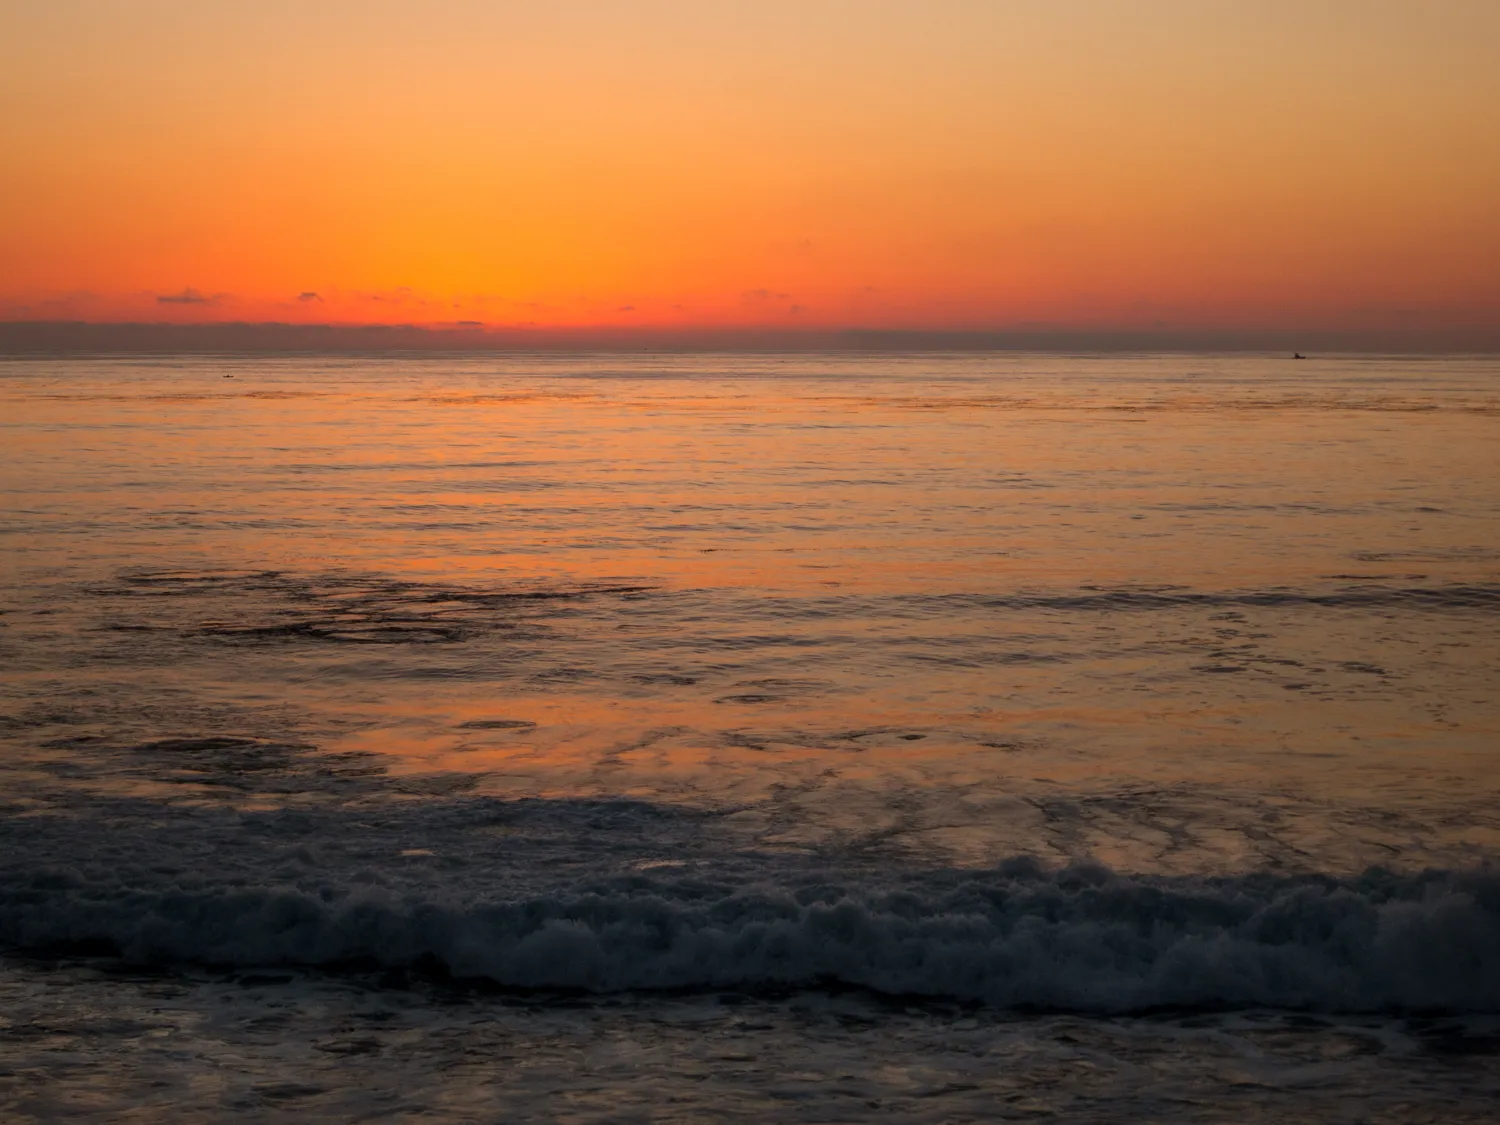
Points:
(823, 164)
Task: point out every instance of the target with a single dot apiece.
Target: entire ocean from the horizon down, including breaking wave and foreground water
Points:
(751, 737)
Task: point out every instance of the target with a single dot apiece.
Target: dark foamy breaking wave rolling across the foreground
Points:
(1016, 937)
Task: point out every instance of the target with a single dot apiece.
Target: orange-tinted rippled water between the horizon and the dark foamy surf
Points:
(982, 605)
